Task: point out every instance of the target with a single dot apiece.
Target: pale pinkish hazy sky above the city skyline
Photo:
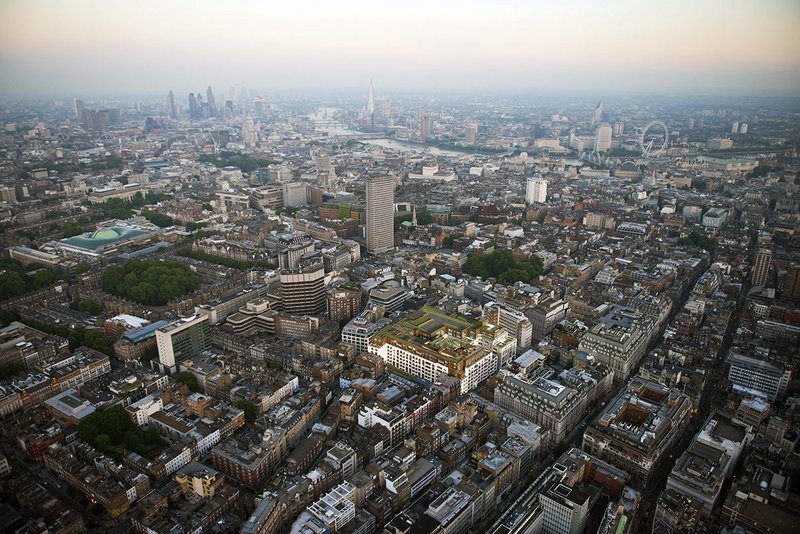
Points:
(118, 47)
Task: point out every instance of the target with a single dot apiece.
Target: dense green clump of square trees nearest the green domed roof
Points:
(150, 282)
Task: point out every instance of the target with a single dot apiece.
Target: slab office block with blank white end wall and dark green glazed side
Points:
(182, 339)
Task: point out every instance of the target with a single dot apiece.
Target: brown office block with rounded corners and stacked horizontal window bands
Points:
(303, 288)
